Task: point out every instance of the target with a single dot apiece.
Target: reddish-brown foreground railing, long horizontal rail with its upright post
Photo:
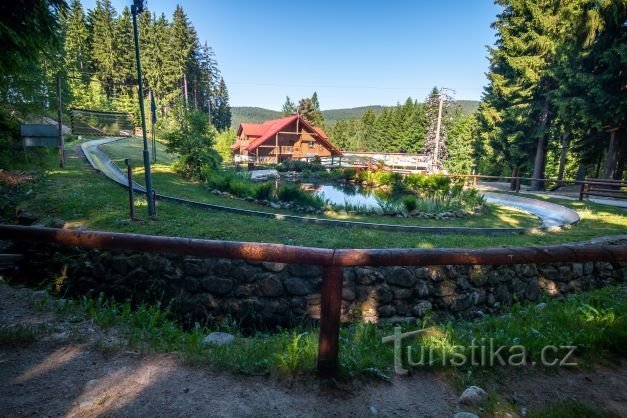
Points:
(332, 260)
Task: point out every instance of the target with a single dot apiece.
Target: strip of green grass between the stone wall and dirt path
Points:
(595, 321)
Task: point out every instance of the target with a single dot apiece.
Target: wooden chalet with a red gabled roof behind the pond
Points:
(282, 139)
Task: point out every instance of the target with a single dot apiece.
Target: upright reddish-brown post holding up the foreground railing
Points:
(330, 312)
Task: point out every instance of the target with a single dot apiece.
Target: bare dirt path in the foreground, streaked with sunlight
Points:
(66, 373)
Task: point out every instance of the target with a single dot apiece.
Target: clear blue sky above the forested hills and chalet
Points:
(352, 53)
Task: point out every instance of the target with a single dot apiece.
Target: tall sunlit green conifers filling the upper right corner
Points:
(556, 69)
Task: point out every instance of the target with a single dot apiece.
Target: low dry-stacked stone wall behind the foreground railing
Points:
(278, 294)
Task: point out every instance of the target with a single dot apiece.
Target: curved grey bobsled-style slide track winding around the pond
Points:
(550, 214)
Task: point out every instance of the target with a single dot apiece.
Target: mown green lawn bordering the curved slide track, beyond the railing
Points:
(80, 195)
